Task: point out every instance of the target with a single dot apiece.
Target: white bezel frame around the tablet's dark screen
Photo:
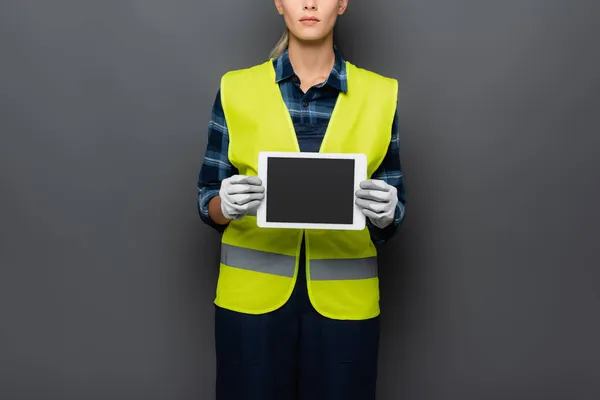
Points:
(360, 174)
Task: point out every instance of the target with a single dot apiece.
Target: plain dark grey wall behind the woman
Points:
(107, 274)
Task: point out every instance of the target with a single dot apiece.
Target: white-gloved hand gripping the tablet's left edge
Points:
(240, 194)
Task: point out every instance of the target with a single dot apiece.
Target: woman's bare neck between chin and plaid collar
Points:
(311, 58)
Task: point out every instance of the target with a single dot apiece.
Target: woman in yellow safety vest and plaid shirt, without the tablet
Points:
(281, 332)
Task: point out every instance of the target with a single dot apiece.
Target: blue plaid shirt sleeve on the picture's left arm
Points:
(216, 165)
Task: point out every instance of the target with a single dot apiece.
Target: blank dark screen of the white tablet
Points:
(310, 190)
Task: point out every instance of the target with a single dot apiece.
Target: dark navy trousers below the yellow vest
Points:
(294, 353)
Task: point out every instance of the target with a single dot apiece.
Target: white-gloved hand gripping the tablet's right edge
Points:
(377, 200)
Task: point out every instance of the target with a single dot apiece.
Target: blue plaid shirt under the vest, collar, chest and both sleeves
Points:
(310, 113)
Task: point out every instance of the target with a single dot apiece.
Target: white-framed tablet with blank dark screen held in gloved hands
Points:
(311, 190)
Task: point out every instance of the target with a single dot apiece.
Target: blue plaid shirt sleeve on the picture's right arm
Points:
(390, 171)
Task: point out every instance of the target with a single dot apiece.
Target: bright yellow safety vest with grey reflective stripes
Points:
(259, 266)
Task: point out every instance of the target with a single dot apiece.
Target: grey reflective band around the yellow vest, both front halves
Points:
(282, 265)
